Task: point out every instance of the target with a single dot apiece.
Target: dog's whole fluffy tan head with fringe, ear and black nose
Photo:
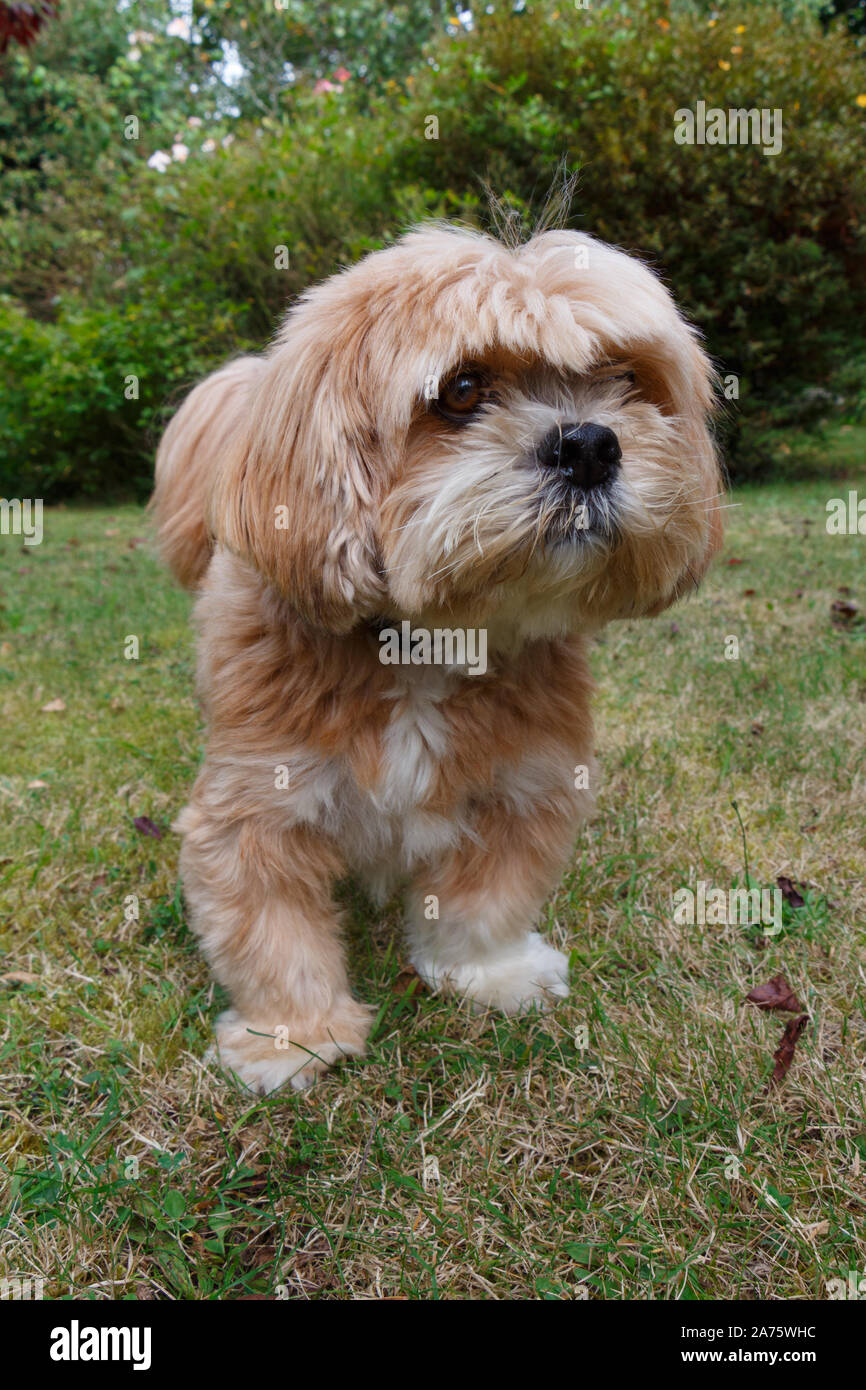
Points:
(482, 434)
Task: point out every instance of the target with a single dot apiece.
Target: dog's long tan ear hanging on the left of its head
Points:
(298, 490)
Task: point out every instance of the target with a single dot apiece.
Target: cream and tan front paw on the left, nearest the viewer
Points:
(265, 1056)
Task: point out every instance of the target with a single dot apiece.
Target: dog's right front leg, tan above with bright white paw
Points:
(471, 914)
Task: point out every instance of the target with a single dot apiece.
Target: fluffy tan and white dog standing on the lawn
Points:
(454, 436)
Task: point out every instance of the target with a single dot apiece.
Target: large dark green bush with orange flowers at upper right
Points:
(767, 254)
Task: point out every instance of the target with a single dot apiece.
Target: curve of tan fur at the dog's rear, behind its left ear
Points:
(187, 461)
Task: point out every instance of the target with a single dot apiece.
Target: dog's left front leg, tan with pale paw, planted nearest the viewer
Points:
(261, 901)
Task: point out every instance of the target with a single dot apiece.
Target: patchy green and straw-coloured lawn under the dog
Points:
(625, 1146)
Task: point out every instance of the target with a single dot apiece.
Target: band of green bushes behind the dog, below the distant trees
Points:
(768, 255)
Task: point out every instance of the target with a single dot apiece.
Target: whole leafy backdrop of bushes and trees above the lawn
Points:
(307, 127)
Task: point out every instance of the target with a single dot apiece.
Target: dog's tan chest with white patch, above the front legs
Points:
(415, 765)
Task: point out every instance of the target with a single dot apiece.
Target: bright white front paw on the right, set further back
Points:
(530, 974)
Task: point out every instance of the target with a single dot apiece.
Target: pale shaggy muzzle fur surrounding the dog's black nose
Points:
(480, 518)
